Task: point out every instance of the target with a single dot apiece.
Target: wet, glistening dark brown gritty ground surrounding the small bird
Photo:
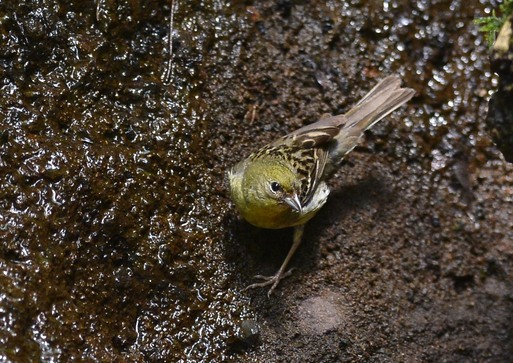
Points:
(118, 238)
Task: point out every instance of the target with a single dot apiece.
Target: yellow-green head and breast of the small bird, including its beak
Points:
(266, 192)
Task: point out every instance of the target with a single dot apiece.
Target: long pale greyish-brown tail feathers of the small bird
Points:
(383, 99)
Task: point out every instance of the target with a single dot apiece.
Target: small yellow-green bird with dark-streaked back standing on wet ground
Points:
(284, 183)
